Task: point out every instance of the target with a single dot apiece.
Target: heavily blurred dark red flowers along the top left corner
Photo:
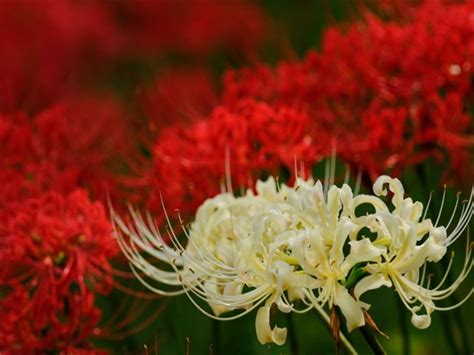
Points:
(73, 41)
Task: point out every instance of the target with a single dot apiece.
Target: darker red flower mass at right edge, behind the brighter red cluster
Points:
(392, 94)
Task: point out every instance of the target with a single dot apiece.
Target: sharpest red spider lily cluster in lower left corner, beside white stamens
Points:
(51, 246)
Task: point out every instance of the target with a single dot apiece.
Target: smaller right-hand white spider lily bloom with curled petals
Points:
(408, 242)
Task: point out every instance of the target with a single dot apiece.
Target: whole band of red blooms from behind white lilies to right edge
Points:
(386, 95)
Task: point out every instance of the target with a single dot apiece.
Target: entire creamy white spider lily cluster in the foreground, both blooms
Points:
(305, 243)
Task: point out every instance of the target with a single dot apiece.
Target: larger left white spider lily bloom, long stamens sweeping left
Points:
(276, 246)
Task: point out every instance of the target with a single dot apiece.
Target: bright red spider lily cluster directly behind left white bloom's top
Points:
(256, 139)
